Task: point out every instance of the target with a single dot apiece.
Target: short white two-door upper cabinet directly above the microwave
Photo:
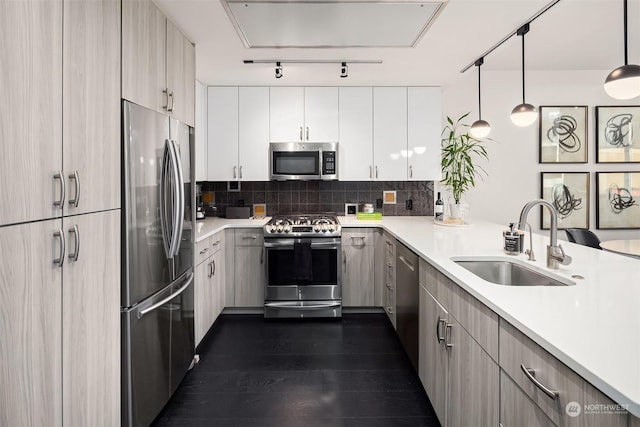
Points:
(303, 114)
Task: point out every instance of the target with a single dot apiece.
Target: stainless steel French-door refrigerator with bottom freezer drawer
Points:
(158, 244)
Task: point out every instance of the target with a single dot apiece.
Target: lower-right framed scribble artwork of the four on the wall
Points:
(618, 203)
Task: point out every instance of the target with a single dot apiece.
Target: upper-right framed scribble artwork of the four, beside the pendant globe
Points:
(618, 134)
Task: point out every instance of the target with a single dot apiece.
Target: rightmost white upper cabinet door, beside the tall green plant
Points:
(424, 127)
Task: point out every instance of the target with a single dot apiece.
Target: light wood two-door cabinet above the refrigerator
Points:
(158, 62)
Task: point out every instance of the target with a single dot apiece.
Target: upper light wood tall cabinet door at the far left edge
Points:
(31, 110)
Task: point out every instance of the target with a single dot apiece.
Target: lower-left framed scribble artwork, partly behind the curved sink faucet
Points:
(568, 192)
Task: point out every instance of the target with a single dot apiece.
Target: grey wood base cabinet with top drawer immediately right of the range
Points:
(358, 279)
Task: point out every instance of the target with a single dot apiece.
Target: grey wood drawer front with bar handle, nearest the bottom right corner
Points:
(516, 349)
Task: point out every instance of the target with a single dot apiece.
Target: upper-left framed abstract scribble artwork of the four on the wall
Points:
(563, 134)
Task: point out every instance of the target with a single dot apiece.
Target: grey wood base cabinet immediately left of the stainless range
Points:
(249, 268)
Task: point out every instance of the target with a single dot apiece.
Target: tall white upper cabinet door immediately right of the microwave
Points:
(355, 159)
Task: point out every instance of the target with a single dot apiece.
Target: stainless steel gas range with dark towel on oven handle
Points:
(303, 262)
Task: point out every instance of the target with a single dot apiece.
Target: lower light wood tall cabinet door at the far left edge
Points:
(31, 329)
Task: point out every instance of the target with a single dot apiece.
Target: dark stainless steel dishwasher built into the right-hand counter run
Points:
(407, 301)
